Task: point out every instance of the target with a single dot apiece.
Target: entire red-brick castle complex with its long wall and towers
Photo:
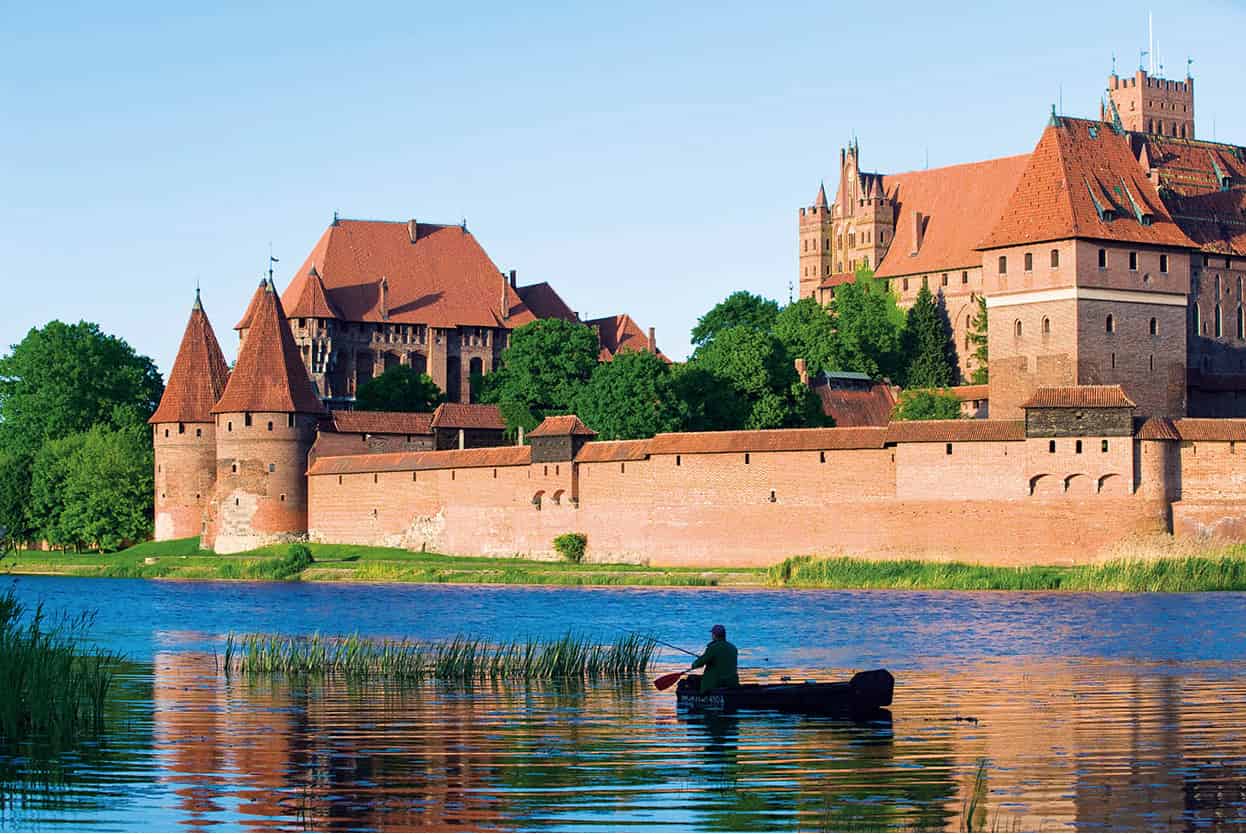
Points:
(1111, 260)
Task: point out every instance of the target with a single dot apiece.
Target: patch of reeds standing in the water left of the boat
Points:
(459, 660)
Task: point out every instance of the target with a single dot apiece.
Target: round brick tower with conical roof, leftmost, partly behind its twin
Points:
(184, 432)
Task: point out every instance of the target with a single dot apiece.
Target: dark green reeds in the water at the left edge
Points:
(52, 688)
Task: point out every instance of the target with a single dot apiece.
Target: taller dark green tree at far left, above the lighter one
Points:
(67, 378)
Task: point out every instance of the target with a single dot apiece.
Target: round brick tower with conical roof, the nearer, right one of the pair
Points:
(266, 423)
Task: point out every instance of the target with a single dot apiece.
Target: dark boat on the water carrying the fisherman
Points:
(865, 695)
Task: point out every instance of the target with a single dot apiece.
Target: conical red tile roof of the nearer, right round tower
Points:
(270, 375)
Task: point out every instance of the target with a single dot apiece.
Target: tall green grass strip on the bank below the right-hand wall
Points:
(1183, 575)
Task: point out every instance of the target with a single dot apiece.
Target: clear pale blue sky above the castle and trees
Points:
(644, 158)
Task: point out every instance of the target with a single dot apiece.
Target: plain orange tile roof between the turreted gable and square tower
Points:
(960, 205)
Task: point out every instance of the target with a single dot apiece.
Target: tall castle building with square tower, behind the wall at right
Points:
(1113, 254)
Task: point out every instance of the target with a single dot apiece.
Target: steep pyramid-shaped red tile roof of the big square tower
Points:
(1080, 171)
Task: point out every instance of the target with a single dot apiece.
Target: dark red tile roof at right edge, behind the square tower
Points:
(1192, 176)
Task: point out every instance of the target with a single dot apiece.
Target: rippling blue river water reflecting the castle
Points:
(1088, 712)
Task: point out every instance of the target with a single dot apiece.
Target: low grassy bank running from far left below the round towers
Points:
(184, 560)
